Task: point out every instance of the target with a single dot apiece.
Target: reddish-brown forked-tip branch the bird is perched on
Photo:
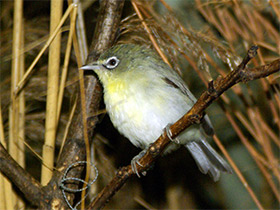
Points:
(215, 89)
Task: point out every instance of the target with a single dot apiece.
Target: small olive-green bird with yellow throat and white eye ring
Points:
(144, 96)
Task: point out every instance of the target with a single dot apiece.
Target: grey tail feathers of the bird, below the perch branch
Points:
(207, 159)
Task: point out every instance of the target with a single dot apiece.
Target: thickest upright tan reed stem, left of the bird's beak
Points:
(52, 94)
